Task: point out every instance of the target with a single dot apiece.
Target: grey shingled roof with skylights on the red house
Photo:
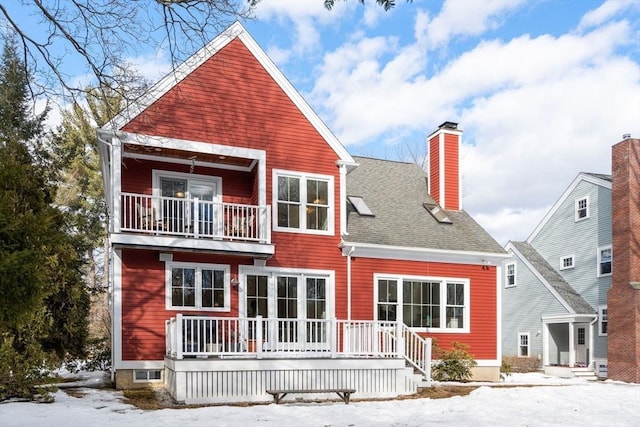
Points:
(396, 193)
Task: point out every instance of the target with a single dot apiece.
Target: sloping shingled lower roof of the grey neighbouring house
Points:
(578, 304)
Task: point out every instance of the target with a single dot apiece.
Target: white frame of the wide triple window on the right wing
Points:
(466, 311)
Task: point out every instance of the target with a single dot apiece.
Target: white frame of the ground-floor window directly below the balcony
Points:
(170, 265)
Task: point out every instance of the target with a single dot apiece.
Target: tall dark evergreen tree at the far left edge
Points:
(43, 301)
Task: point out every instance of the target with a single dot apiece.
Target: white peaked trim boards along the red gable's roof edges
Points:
(236, 30)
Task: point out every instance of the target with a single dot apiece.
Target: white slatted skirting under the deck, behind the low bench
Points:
(198, 381)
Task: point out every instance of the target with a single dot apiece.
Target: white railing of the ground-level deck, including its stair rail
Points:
(202, 336)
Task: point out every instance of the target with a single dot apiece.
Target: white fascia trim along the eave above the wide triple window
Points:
(405, 253)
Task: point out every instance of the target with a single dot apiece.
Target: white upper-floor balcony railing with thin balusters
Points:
(194, 218)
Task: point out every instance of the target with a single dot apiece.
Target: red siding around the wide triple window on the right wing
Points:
(482, 337)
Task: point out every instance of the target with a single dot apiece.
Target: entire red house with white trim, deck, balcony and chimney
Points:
(250, 252)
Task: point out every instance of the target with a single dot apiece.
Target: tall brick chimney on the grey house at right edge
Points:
(623, 299)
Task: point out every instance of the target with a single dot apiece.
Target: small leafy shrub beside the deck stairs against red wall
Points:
(453, 364)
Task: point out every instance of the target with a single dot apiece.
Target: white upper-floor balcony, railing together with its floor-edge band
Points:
(173, 221)
